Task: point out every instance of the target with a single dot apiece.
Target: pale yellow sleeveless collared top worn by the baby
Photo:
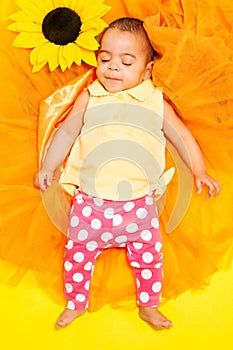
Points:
(120, 153)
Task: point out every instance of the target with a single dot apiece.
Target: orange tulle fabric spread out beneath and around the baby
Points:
(194, 68)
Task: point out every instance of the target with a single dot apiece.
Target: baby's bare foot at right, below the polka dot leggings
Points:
(154, 317)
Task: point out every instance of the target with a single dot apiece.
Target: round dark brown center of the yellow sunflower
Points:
(61, 26)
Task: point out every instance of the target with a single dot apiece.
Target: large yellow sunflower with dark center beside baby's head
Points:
(59, 32)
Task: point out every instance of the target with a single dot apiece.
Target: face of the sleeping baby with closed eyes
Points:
(122, 60)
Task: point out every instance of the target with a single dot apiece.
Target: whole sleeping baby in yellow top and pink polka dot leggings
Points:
(99, 219)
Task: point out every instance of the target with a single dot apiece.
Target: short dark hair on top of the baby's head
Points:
(134, 25)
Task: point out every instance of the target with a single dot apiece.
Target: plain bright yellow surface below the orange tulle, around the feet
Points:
(202, 320)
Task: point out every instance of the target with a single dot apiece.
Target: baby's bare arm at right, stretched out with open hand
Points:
(182, 139)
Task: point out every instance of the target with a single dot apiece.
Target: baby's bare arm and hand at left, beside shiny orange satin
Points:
(62, 142)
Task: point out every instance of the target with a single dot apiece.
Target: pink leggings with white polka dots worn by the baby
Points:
(97, 224)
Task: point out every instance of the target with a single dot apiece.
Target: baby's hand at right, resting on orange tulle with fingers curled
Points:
(214, 186)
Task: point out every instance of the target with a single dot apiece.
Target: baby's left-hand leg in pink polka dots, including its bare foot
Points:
(78, 266)
